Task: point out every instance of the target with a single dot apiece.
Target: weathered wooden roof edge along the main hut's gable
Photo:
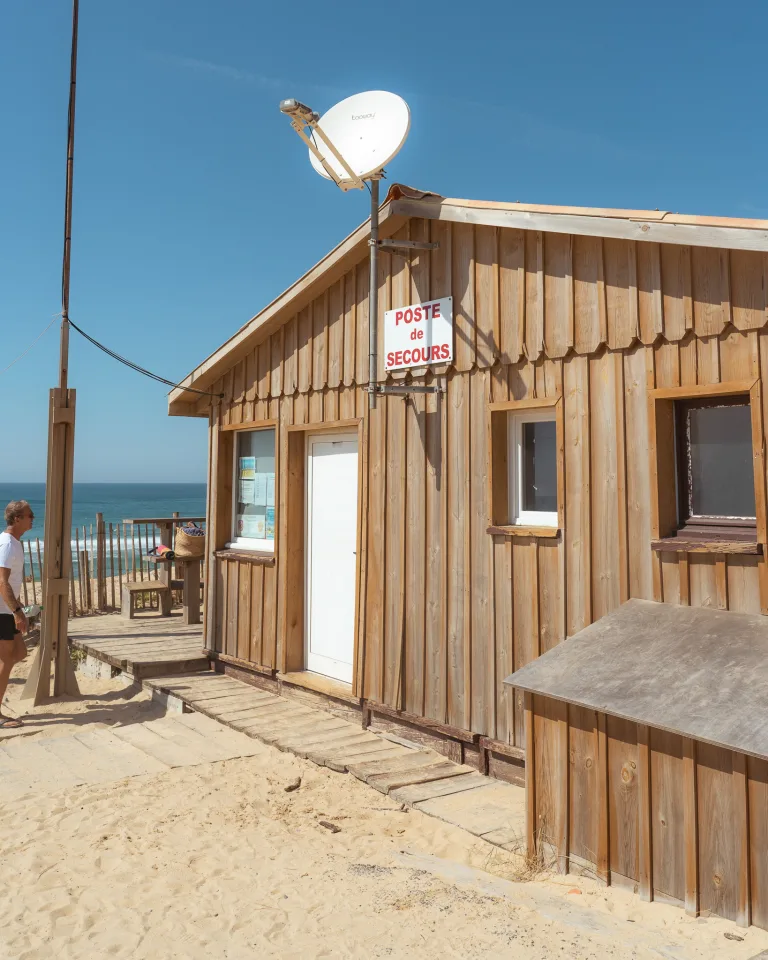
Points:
(403, 203)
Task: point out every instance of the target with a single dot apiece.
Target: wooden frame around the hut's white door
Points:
(292, 533)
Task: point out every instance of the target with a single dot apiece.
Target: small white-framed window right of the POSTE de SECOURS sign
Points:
(532, 464)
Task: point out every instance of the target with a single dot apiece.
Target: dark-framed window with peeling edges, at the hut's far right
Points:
(714, 465)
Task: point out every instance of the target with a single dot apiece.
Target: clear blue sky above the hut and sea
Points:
(195, 203)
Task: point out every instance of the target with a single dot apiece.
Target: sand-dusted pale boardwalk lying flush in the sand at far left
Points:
(106, 754)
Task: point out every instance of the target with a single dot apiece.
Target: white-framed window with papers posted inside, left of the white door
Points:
(254, 490)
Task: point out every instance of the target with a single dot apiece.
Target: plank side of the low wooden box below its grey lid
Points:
(682, 819)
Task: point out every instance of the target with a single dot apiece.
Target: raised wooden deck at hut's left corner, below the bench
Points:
(147, 646)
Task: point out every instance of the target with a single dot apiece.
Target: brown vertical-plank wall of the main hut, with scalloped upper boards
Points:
(447, 611)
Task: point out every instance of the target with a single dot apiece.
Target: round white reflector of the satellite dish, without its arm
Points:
(367, 130)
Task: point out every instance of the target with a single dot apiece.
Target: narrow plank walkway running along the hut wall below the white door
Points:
(418, 778)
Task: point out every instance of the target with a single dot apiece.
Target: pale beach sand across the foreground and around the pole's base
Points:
(218, 861)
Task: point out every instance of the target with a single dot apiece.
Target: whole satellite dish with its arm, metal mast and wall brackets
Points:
(350, 145)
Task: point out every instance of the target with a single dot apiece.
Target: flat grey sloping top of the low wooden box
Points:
(694, 671)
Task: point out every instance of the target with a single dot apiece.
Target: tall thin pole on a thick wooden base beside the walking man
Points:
(57, 561)
